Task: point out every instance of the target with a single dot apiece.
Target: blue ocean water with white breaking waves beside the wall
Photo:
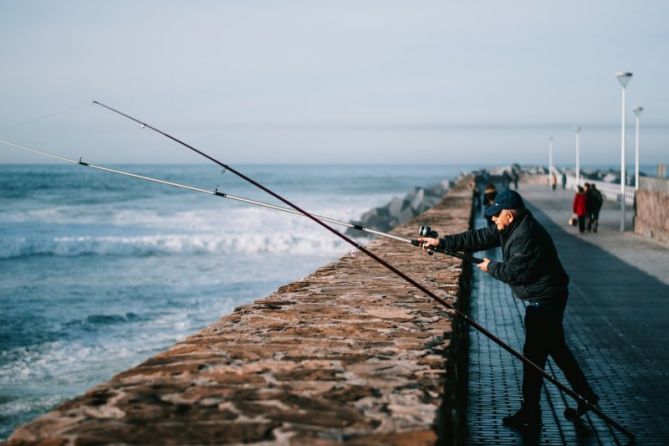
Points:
(98, 272)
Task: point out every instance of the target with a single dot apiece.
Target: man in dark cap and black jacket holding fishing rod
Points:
(532, 269)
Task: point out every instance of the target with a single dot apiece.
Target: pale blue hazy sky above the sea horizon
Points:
(346, 81)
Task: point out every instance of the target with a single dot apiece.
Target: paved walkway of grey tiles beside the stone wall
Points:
(616, 325)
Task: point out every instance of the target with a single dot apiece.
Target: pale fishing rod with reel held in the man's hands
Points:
(425, 231)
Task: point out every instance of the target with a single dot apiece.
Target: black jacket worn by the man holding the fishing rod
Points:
(531, 265)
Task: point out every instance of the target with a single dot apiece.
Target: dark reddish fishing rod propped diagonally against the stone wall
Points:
(399, 273)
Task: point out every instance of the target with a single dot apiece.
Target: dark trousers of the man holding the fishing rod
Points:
(544, 335)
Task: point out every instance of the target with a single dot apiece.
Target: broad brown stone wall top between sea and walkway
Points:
(350, 353)
